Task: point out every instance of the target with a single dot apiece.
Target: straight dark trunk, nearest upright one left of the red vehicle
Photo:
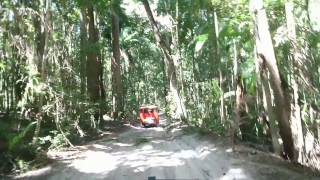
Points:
(117, 90)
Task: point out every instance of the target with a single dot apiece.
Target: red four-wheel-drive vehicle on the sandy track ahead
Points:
(149, 116)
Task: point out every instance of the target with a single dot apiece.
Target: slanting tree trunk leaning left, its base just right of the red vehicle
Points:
(180, 111)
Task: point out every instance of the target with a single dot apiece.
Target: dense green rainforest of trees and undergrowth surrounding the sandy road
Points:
(245, 69)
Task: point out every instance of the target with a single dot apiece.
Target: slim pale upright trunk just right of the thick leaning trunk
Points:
(296, 125)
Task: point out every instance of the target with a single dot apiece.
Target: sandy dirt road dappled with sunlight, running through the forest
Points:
(140, 153)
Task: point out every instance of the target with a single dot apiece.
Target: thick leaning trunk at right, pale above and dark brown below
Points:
(265, 51)
